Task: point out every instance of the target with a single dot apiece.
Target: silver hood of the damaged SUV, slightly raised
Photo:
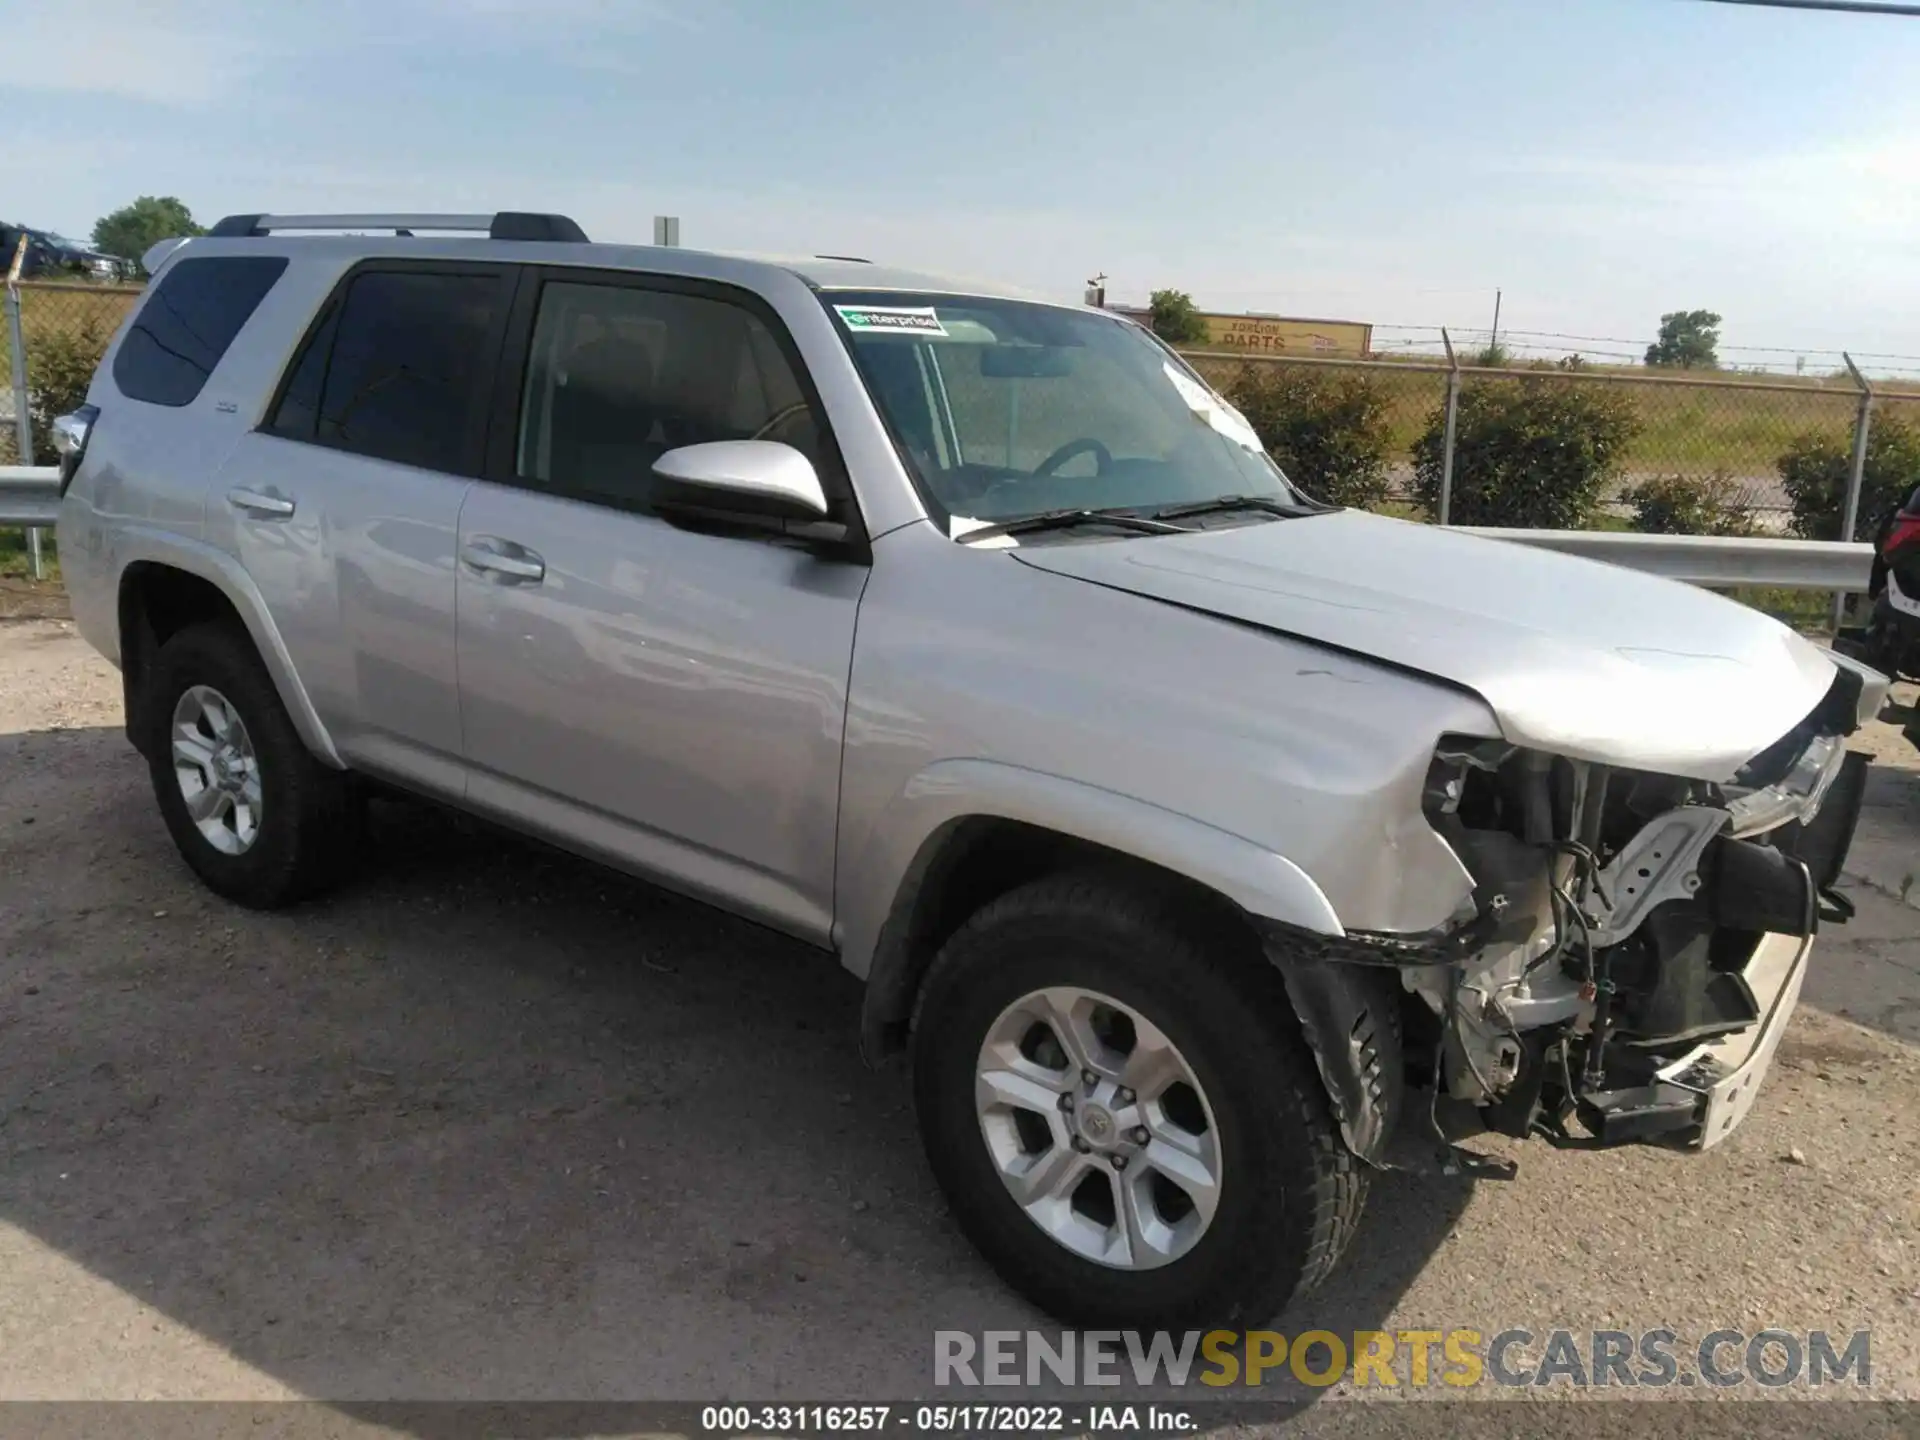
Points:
(1575, 658)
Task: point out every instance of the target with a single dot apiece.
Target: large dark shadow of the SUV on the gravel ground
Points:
(491, 1124)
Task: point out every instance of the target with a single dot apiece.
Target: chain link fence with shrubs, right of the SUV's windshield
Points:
(1579, 448)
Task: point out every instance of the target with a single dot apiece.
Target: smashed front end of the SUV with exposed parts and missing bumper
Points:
(1623, 967)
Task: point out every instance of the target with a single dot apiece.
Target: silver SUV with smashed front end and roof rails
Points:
(1209, 848)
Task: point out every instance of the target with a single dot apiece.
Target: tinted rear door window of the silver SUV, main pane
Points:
(404, 368)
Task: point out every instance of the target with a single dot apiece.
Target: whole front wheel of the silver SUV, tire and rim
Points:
(1120, 1107)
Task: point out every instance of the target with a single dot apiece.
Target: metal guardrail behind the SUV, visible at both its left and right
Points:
(30, 496)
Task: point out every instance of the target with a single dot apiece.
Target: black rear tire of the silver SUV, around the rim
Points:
(306, 819)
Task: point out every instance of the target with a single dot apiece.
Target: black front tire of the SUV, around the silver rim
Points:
(1289, 1193)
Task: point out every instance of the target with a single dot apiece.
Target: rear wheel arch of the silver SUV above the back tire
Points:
(172, 583)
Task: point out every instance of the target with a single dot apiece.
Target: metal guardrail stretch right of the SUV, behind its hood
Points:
(1714, 560)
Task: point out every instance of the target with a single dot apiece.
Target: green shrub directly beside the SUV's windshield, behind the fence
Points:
(1328, 429)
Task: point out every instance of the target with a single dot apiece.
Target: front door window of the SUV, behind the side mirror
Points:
(619, 375)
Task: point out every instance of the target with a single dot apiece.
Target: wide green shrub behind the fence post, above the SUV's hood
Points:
(1531, 454)
